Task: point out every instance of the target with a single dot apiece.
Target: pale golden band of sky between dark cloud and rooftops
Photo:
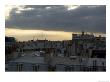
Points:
(39, 34)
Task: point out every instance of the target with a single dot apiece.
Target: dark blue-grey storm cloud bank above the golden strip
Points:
(47, 17)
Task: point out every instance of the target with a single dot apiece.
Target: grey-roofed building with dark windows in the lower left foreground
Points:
(28, 62)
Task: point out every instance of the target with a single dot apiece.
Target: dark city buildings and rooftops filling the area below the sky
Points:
(84, 52)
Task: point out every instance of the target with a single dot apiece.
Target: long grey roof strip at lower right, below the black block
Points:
(67, 61)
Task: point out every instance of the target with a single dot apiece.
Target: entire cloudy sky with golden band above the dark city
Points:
(54, 22)
